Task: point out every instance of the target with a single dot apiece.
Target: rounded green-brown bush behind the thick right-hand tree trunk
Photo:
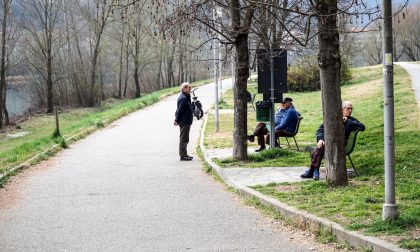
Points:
(305, 75)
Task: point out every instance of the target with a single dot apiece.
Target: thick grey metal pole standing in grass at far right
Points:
(390, 209)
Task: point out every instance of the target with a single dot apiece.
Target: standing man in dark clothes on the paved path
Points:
(184, 118)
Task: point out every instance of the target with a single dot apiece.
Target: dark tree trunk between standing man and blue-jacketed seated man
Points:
(240, 146)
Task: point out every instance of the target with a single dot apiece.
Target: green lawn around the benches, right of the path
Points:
(359, 205)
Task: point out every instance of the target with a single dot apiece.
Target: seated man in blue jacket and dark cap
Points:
(286, 119)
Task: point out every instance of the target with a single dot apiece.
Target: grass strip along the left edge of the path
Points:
(16, 150)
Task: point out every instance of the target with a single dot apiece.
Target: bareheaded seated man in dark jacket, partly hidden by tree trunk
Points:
(350, 124)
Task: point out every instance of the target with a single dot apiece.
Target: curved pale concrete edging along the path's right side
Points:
(352, 238)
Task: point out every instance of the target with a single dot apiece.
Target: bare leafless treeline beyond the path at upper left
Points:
(80, 52)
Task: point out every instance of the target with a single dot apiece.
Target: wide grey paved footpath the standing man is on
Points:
(123, 188)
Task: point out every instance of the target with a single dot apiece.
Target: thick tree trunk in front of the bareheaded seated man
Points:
(329, 62)
